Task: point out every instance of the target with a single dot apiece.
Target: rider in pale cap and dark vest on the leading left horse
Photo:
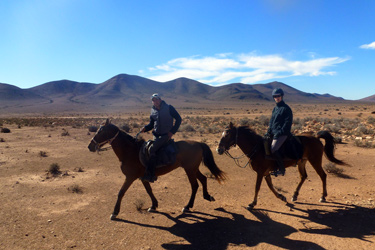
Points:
(161, 121)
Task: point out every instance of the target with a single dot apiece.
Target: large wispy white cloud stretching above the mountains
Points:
(245, 68)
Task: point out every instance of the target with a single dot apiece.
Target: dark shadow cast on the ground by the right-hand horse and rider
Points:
(344, 221)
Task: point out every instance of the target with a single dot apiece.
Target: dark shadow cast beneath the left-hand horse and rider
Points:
(205, 231)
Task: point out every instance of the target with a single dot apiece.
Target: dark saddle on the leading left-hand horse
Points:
(166, 155)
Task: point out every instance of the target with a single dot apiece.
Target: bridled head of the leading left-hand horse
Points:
(105, 134)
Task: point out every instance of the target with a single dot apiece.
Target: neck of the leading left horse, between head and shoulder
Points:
(125, 148)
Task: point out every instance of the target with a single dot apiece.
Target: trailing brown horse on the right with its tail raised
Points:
(252, 146)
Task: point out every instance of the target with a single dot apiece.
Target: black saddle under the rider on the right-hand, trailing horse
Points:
(292, 148)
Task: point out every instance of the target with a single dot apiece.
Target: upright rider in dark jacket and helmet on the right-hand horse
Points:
(279, 128)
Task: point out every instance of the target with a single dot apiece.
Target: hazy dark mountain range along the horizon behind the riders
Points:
(124, 91)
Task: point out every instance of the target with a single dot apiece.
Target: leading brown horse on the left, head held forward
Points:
(190, 155)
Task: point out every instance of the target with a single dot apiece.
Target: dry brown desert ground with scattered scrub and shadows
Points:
(71, 210)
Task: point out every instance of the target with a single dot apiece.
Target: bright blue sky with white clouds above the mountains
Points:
(316, 46)
